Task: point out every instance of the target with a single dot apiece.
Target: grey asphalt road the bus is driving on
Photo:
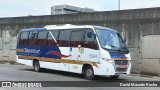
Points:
(25, 73)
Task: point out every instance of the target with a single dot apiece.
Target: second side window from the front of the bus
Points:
(76, 38)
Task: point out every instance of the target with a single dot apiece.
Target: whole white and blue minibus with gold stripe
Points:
(89, 50)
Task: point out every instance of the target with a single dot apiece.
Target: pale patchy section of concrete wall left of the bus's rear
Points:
(7, 46)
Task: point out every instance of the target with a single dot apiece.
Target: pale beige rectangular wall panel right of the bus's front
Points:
(150, 54)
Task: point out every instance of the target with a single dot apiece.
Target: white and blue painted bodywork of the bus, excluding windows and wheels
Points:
(72, 59)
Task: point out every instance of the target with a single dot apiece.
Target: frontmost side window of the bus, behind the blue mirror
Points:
(90, 42)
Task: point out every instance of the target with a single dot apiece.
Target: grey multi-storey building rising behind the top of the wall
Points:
(66, 9)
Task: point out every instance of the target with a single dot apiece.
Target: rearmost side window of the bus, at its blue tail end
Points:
(23, 40)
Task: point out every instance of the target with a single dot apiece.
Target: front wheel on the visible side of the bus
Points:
(89, 73)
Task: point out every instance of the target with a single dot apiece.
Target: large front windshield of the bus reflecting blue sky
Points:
(111, 40)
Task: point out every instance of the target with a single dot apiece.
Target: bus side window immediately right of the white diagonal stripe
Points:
(64, 38)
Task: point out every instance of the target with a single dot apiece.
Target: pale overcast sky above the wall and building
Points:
(14, 8)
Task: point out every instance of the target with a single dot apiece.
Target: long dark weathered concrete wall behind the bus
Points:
(133, 23)
